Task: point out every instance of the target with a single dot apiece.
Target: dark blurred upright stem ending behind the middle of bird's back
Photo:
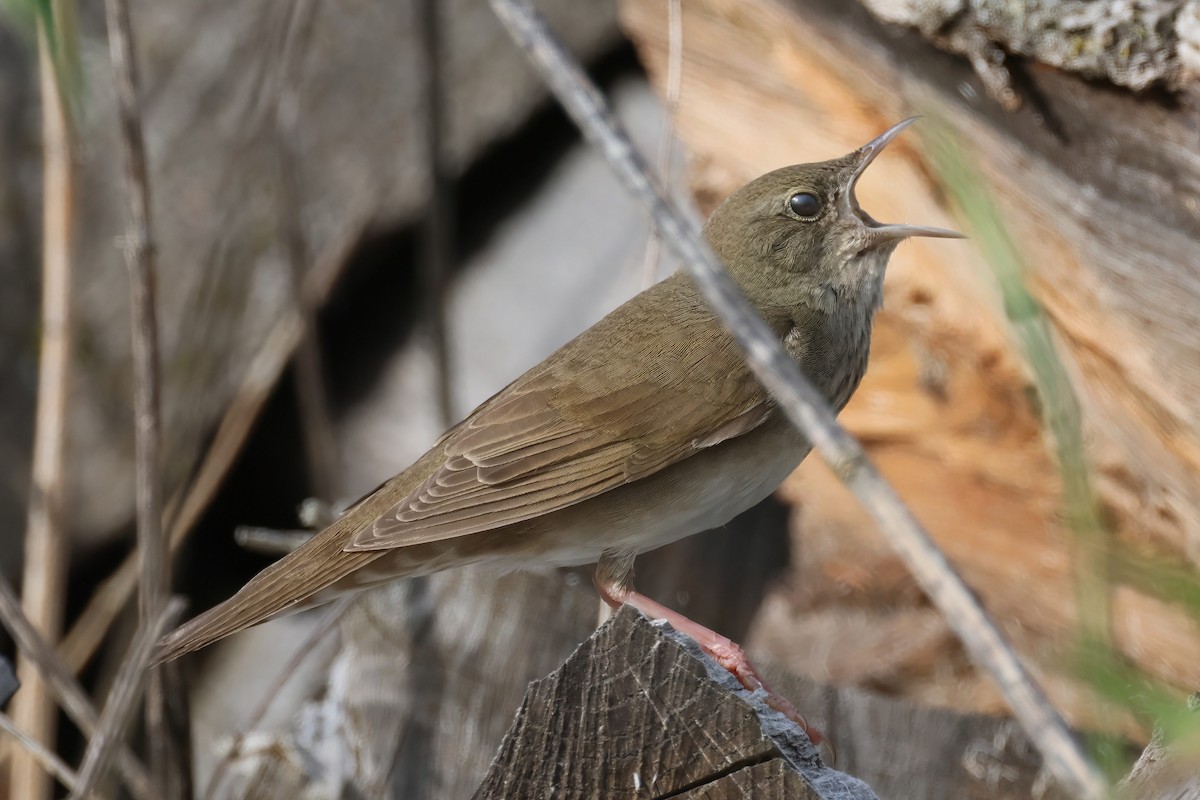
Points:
(437, 233)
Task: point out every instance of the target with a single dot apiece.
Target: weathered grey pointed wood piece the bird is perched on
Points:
(639, 711)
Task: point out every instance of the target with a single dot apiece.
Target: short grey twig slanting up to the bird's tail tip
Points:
(131, 678)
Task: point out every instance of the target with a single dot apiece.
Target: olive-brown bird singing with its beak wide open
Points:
(646, 429)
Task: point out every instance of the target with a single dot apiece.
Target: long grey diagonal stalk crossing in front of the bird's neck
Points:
(807, 408)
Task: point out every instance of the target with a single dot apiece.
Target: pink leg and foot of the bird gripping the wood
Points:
(614, 580)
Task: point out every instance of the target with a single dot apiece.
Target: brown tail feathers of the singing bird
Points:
(292, 584)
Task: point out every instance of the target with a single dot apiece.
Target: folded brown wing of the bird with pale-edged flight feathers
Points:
(559, 437)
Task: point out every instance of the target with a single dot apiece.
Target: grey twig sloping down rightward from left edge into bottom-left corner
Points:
(63, 684)
